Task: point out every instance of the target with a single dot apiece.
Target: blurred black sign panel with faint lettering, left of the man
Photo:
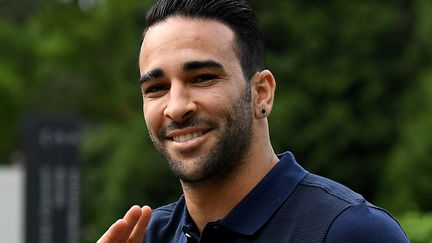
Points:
(52, 179)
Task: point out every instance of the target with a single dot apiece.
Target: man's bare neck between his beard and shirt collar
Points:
(208, 202)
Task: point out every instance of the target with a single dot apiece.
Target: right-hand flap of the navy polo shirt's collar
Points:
(263, 201)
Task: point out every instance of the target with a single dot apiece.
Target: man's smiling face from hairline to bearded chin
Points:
(196, 103)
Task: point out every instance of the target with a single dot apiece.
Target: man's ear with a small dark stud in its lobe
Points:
(263, 88)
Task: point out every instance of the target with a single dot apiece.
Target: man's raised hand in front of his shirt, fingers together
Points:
(130, 229)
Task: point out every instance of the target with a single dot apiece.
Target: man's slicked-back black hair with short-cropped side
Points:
(236, 14)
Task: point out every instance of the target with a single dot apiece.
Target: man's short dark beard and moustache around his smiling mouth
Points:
(226, 155)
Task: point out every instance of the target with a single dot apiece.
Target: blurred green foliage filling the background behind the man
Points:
(354, 96)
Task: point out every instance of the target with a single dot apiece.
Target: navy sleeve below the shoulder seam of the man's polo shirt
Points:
(363, 223)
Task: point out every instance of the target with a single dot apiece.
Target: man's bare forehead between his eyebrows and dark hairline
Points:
(187, 38)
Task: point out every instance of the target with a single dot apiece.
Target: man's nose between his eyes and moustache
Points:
(180, 104)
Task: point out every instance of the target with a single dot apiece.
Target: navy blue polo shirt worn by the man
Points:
(288, 205)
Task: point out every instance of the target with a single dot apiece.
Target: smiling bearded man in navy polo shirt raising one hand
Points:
(206, 98)
